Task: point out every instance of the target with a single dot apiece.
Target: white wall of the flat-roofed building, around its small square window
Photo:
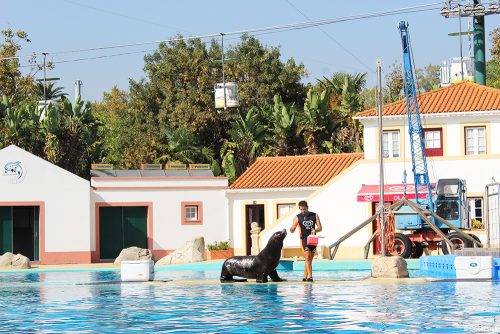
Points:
(168, 233)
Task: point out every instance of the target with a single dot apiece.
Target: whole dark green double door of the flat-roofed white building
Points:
(121, 227)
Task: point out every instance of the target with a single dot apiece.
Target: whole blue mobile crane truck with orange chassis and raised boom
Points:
(449, 198)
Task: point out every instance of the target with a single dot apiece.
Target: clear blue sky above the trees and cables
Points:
(351, 46)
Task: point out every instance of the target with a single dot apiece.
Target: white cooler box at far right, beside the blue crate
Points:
(474, 267)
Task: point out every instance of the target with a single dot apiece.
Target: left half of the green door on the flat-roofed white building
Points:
(110, 232)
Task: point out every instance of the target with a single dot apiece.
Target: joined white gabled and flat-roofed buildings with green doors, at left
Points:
(54, 217)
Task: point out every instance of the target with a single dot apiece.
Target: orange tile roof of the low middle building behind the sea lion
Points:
(295, 171)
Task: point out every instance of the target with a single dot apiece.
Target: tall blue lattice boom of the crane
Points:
(418, 158)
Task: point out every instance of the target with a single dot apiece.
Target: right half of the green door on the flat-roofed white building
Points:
(135, 226)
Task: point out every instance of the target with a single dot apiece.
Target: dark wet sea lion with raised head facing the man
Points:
(256, 266)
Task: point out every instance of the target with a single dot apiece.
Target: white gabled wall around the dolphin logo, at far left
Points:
(66, 197)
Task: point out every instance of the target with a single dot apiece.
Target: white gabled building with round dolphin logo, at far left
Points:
(44, 210)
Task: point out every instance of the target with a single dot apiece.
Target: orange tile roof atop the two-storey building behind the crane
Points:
(460, 97)
